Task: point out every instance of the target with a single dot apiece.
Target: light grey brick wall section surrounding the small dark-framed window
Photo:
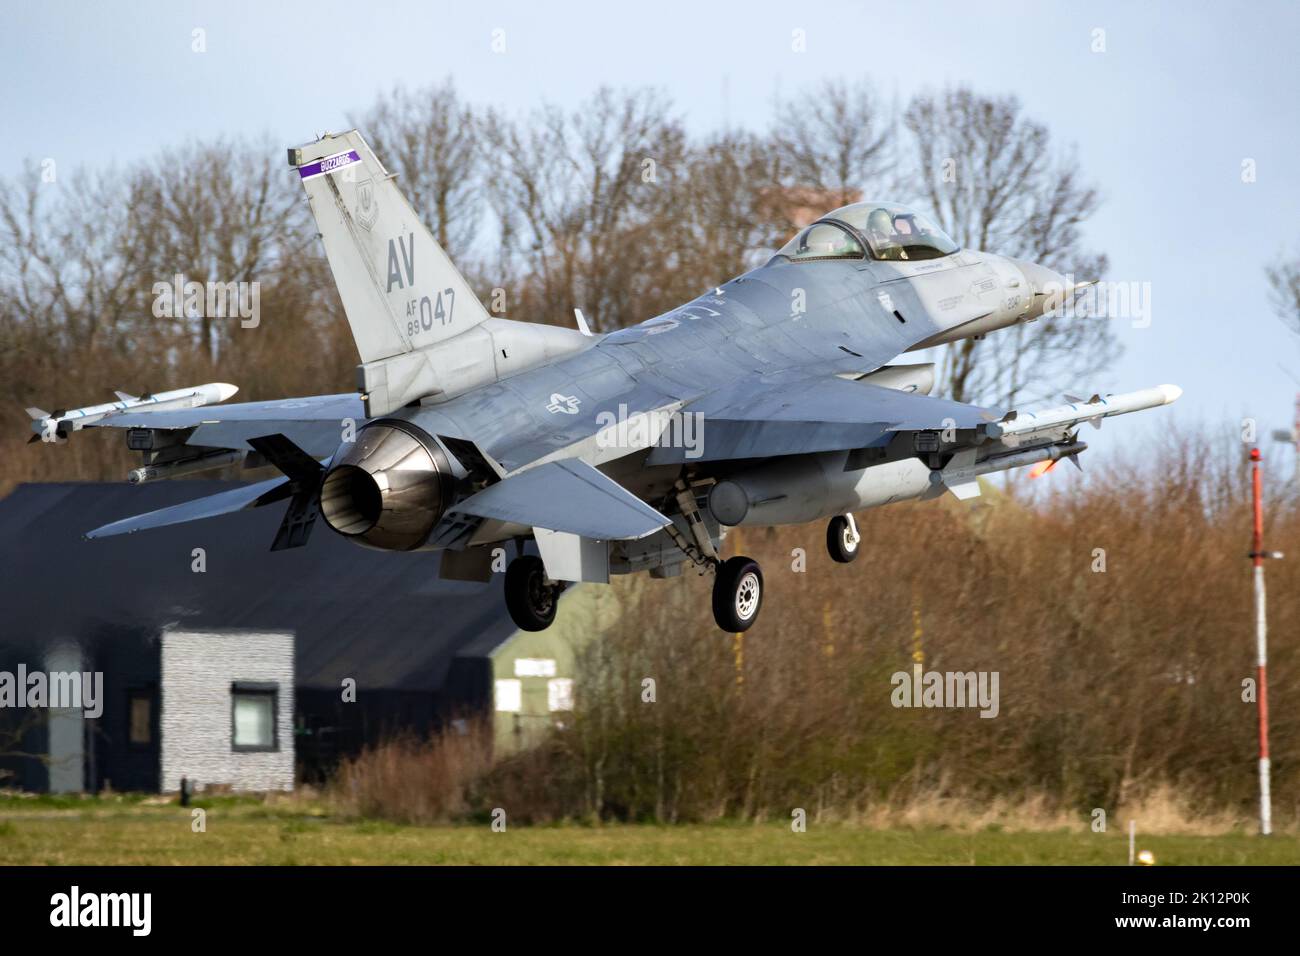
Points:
(198, 669)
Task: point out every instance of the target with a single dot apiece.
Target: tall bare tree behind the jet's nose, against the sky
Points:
(998, 185)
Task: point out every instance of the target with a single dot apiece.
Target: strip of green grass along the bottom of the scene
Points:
(246, 832)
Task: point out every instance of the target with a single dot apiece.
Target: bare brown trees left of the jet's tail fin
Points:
(79, 265)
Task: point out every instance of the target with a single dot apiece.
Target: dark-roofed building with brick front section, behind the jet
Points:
(421, 650)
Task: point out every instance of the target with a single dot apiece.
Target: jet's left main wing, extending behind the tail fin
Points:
(314, 425)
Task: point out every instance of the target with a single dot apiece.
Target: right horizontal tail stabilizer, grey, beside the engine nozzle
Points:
(567, 496)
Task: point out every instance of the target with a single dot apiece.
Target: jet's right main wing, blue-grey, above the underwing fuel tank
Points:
(792, 416)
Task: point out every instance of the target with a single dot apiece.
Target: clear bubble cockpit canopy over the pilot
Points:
(892, 233)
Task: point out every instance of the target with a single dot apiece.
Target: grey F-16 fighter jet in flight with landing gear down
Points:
(774, 399)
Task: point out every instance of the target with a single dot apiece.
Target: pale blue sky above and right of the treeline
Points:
(1163, 119)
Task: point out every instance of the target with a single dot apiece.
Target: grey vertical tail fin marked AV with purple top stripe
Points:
(400, 289)
